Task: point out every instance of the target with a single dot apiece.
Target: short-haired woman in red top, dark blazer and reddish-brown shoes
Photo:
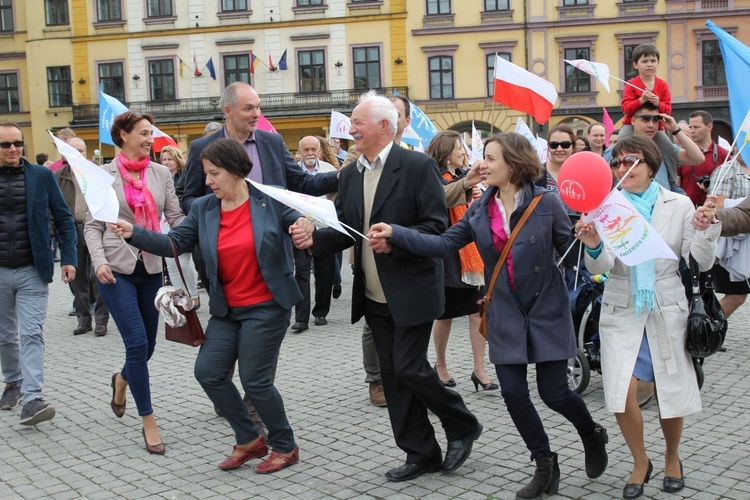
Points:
(241, 233)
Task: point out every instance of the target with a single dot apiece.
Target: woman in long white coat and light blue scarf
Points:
(649, 295)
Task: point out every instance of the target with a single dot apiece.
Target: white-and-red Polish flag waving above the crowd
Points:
(523, 91)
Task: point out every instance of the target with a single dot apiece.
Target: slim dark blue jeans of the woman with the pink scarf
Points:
(131, 304)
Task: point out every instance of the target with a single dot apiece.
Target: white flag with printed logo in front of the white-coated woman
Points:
(624, 231)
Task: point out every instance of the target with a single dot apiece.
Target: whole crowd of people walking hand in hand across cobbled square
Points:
(441, 235)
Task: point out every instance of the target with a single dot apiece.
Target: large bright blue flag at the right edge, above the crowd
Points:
(736, 57)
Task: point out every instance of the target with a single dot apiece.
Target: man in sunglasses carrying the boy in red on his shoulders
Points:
(646, 122)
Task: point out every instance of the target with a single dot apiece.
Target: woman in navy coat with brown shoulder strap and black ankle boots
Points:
(528, 320)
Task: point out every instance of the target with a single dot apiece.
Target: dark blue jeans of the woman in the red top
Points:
(251, 336)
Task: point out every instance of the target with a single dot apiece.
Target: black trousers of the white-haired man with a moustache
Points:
(412, 387)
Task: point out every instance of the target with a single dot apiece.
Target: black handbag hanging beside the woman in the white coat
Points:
(707, 324)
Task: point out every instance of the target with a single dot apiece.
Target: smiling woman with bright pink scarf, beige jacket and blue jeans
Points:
(129, 280)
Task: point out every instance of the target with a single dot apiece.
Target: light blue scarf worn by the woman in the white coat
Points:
(643, 275)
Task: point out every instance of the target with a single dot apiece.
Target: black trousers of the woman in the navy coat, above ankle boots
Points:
(552, 383)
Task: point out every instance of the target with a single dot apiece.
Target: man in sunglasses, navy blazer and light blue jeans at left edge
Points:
(30, 197)
